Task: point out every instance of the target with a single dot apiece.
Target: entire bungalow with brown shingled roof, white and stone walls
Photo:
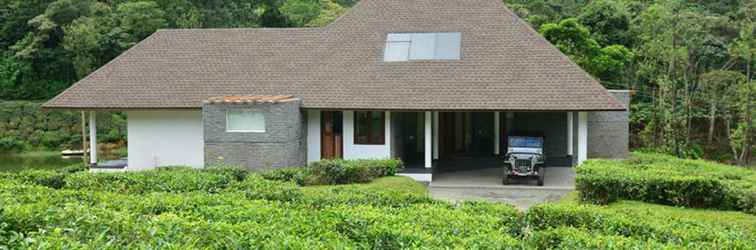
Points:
(427, 81)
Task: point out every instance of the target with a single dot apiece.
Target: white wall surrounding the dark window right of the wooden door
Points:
(356, 151)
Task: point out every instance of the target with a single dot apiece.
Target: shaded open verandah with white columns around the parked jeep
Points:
(448, 147)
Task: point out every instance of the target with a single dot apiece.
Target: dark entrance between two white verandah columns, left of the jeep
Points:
(466, 134)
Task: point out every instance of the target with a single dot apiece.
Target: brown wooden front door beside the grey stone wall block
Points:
(331, 143)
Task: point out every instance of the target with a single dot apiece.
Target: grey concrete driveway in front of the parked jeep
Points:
(486, 184)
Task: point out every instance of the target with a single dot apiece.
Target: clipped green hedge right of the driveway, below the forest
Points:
(662, 179)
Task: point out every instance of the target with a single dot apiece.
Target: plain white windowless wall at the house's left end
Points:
(165, 138)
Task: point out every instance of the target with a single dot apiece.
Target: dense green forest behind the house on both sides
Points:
(690, 62)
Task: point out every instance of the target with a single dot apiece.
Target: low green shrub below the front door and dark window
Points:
(351, 171)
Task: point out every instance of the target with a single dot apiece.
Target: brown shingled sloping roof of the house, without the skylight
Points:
(504, 65)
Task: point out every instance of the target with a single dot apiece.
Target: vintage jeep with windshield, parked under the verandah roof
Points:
(524, 158)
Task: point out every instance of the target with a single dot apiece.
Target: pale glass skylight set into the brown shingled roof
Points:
(422, 46)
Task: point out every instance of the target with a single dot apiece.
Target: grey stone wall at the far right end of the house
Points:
(608, 132)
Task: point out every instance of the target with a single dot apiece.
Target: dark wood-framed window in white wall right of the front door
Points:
(369, 127)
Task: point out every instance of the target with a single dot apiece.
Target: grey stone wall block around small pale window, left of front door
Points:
(283, 144)
